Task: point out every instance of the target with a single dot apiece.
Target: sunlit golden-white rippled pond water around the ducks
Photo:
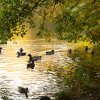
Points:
(13, 71)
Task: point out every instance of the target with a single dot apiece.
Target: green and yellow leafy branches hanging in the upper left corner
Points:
(13, 14)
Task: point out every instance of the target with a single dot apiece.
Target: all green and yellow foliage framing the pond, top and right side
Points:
(74, 21)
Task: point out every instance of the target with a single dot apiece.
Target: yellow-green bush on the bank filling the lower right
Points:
(81, 76)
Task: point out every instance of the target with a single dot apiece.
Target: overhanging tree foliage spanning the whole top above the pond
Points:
(74, 19)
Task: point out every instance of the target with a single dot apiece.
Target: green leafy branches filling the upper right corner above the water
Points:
(79, 21)
